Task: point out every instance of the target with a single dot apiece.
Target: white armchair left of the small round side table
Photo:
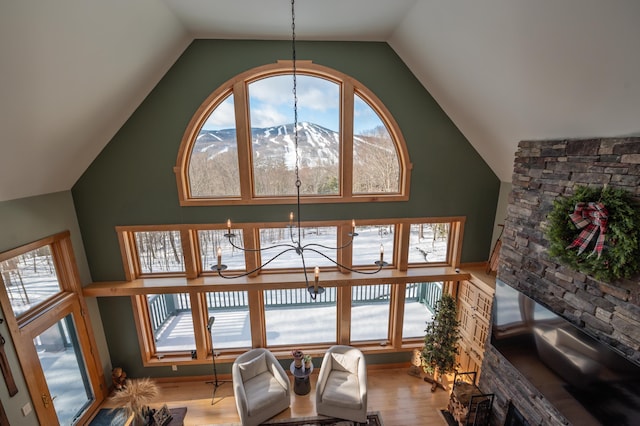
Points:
(260, 386)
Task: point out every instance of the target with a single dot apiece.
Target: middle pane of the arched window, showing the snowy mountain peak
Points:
(272, 135)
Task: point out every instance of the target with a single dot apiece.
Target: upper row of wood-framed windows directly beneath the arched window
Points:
(166, 250)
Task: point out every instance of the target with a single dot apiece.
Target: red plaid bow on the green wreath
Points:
(591, 218)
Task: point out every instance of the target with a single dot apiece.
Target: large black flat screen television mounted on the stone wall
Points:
(586, 380)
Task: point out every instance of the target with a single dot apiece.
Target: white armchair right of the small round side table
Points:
(341, 390)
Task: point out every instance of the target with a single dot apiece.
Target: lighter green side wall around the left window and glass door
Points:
(23, 221)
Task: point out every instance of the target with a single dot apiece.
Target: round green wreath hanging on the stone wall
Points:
(621, 253)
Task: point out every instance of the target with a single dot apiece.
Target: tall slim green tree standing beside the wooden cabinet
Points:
(441, 342)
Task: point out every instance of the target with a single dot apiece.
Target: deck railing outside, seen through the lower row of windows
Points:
(163, 306)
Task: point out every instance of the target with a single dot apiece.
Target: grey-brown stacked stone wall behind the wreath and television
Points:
(543, 171)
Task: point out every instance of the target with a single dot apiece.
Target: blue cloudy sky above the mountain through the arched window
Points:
(271, 102)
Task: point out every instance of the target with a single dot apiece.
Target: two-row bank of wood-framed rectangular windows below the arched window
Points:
(271, 307)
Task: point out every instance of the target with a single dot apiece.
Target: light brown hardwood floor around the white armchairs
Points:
(401, 399)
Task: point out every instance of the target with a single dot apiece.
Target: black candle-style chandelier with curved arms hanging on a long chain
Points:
(295, 230)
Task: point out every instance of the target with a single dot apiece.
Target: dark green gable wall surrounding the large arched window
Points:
(132, 181)
